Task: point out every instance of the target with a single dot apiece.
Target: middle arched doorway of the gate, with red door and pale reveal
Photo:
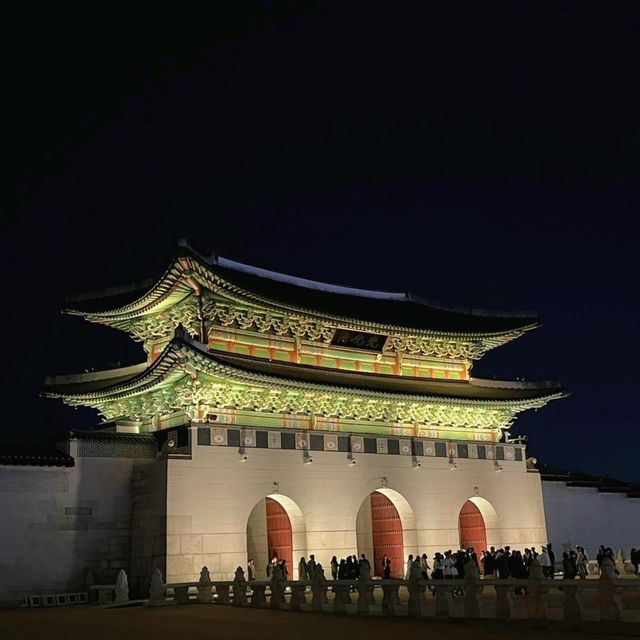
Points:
(385, 525)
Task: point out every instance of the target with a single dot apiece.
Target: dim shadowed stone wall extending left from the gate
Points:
(55, 523)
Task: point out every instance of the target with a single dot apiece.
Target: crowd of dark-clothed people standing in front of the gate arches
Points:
(500, 563)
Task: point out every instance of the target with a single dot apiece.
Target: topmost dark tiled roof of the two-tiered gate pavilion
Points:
(385, 308)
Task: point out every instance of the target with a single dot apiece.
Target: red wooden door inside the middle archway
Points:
(387, 535)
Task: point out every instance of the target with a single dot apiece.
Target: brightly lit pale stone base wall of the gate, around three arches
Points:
(211, 496)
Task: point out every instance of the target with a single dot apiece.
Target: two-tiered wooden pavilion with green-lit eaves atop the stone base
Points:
(230, 343)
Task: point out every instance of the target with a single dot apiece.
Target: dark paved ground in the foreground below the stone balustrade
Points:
(228, 623)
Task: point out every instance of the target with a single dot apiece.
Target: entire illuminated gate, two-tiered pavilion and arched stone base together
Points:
(353, 414)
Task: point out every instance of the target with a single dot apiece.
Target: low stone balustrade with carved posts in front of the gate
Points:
(607, 598)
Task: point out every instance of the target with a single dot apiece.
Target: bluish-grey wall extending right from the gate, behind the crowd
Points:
(584, 516)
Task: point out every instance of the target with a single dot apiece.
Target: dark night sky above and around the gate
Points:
(483, 154)
